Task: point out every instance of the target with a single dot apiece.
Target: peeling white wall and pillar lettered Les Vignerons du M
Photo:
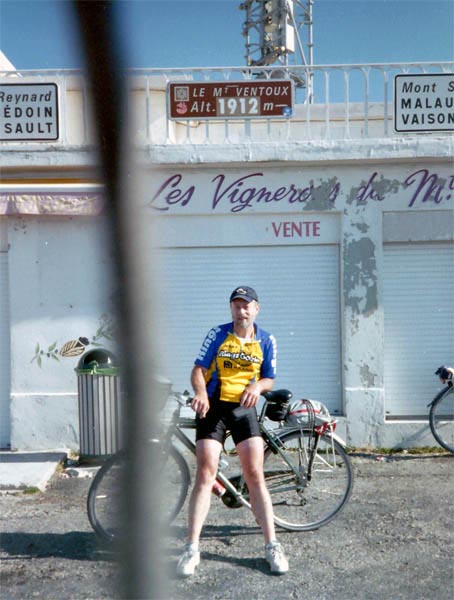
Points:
(376, 202)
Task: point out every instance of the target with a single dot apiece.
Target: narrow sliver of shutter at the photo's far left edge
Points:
(4, 353)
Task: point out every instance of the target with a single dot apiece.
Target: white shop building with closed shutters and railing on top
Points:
(342, 224)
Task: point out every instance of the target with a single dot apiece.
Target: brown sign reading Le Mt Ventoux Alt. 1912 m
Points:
(230, 100)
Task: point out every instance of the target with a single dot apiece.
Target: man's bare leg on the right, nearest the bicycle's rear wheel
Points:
(251, 453)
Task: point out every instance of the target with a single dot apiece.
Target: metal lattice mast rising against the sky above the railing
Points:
(273, 30)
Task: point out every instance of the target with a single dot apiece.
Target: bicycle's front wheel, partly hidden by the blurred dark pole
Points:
(108, 487)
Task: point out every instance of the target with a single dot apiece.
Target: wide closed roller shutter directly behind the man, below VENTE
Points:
(298, 287)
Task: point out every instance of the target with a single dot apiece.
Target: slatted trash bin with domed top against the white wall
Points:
(98, 383)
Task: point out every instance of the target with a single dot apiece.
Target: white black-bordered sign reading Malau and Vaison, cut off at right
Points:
(424, 103)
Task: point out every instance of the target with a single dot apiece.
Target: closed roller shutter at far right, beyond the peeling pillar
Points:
(419, 323)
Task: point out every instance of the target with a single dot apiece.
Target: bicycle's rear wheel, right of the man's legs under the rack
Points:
(303, 501)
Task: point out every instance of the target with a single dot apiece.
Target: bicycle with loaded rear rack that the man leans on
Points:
(307, 470)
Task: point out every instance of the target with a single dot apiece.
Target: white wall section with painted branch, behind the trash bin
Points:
(60, 290)
